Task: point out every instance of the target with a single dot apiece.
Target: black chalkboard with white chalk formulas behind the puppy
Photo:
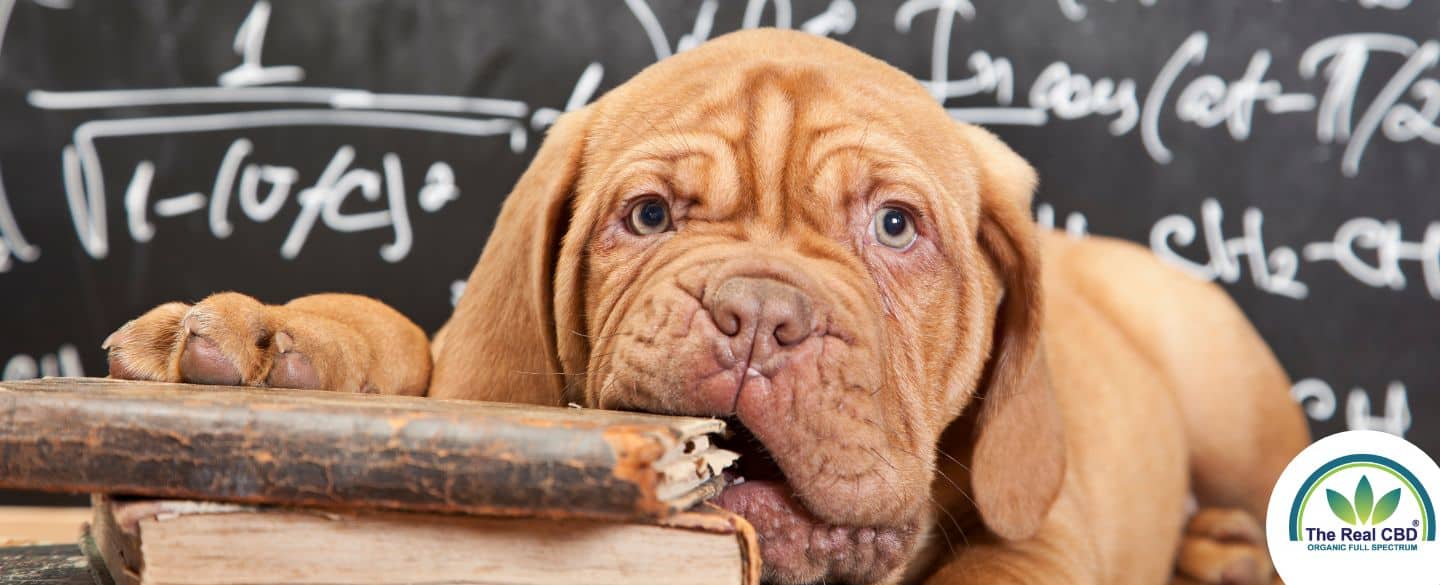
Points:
(156, 151)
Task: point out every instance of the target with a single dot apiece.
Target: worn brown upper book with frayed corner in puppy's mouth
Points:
(358, 452)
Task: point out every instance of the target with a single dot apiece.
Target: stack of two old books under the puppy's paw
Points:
(204, 485)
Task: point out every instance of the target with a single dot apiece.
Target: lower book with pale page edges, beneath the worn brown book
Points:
(166, 542)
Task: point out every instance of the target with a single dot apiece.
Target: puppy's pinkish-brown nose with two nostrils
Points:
(760, 309)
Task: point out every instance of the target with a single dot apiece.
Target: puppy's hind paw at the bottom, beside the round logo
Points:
(1223, 547)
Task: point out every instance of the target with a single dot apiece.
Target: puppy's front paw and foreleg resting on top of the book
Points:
(335, 342)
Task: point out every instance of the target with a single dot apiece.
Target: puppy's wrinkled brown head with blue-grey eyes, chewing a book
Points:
(781, 231)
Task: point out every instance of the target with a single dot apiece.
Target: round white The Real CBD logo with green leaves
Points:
(1356, 508)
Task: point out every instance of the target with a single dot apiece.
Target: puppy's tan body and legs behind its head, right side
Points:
(1157, 406)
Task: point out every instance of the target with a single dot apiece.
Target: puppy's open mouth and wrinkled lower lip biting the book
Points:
(798, 547)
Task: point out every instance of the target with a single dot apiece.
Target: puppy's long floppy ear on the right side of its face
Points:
(1019, 459)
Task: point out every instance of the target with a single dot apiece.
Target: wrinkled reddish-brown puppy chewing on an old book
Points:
(783, 231)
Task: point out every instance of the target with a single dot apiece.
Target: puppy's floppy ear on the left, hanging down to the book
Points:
(500, 344)
